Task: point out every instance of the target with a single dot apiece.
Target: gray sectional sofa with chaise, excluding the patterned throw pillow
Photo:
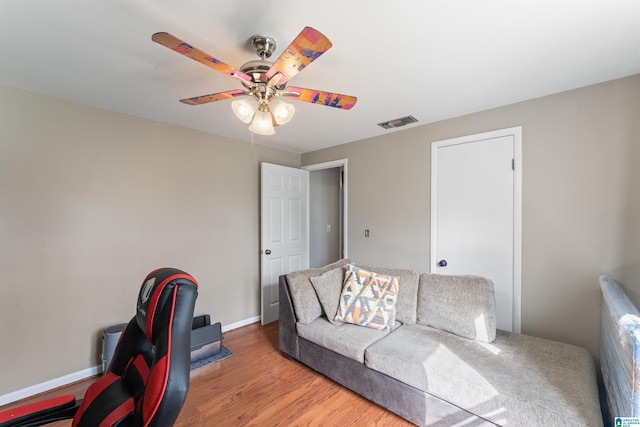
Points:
(442, 361)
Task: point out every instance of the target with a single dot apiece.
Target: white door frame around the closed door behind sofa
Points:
(516, 132)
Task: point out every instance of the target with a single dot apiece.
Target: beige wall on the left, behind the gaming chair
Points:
(90, 202)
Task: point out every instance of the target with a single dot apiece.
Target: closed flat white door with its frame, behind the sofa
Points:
(475, 218)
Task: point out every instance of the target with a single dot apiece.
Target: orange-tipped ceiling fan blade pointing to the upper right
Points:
(306, 48)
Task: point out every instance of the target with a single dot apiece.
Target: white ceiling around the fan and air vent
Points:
(430, 59)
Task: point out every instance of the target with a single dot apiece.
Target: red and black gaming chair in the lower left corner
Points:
(148, 378)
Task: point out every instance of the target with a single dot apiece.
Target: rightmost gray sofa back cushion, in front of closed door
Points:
(462, 305)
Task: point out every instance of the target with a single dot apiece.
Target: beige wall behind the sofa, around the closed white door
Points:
(581, 200)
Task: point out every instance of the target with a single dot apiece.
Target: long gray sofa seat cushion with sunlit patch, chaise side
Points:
(517, 380)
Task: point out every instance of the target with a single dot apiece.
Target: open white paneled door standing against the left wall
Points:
(284, 230)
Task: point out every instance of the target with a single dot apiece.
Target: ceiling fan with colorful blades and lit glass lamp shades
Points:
(261, 103)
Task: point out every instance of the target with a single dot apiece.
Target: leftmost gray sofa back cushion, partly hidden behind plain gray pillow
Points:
(305, 301)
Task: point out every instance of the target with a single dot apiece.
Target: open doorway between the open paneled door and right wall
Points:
(327, 212)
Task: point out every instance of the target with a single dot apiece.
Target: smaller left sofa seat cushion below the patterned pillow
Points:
(348, 340)
